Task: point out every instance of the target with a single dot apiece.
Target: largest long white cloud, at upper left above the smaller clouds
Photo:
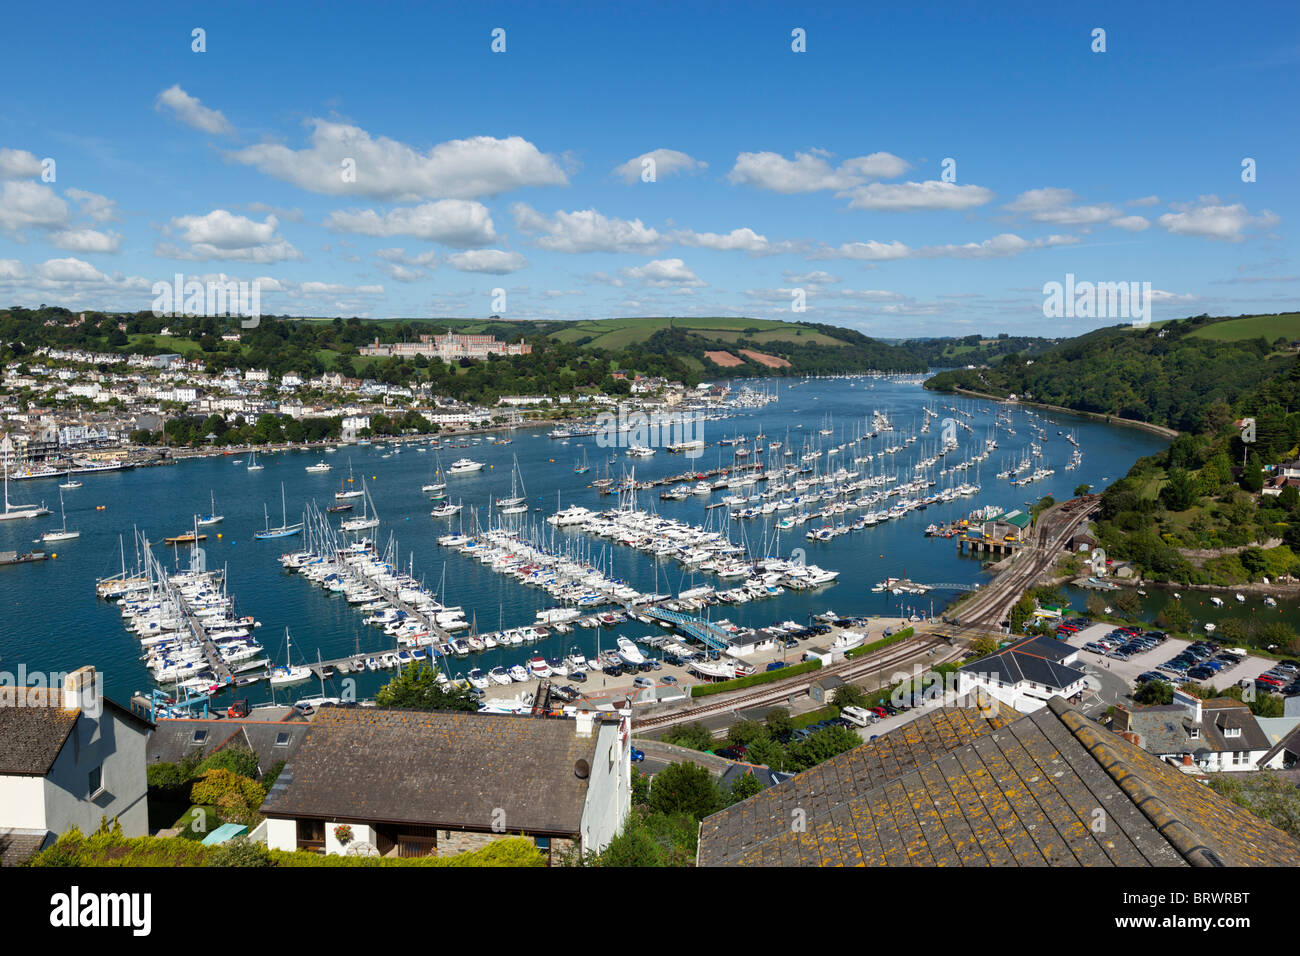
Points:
(391, 171)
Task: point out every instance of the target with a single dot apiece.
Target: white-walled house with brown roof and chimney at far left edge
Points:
(70, 758)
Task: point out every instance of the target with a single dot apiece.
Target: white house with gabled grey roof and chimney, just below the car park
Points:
(1212, 736)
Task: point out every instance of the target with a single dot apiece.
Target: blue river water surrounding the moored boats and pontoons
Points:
(54, 622)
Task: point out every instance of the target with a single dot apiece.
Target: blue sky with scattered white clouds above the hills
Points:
(775, 171)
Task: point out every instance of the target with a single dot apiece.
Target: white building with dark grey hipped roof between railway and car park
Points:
(1026, 676)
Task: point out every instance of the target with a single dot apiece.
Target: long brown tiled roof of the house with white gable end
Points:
(450, 771)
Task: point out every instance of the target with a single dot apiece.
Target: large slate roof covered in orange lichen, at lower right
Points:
(959, 789)
